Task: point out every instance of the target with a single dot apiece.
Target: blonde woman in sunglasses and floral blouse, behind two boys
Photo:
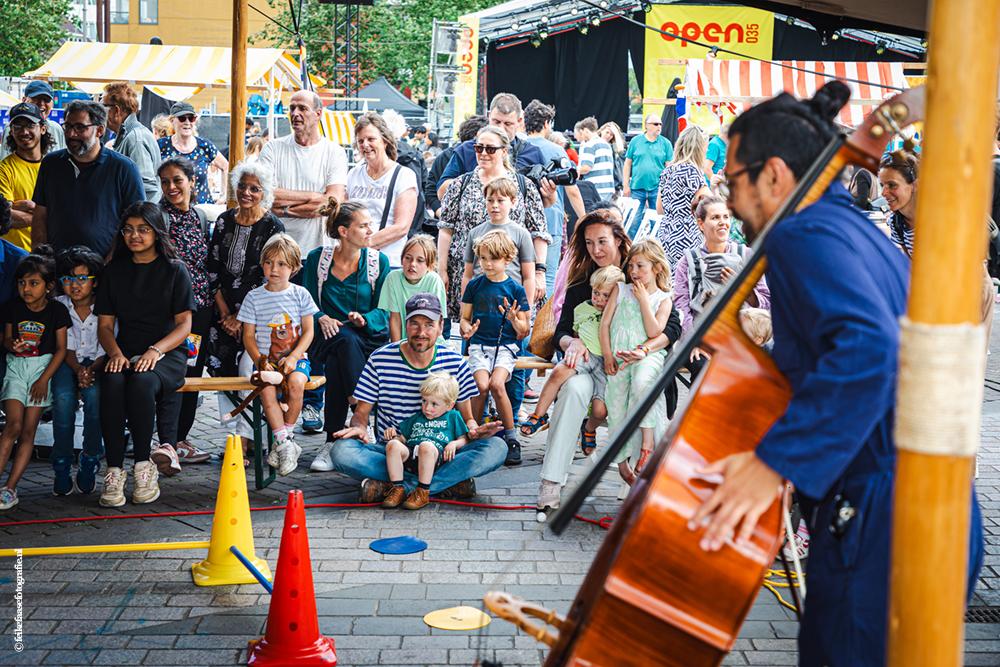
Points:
(463, 207)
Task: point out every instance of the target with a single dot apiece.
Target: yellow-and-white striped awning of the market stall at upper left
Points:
(175, 72)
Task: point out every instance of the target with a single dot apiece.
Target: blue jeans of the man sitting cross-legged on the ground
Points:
(361, 459)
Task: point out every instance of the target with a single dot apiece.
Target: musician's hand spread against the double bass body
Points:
(748, 488)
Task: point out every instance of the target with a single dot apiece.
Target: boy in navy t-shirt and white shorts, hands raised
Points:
(494, 323)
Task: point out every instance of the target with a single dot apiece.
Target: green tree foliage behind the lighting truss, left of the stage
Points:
(394, 37)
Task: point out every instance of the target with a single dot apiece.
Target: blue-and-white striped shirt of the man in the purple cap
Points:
(389, 380)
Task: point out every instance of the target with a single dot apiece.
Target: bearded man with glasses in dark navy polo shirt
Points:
(82, 189)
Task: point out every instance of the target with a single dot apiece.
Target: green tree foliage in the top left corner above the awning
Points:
(30, 31)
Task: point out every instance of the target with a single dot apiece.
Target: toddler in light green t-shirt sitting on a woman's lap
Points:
(586, 324)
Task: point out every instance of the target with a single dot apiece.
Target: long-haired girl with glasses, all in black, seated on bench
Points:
(146, 293)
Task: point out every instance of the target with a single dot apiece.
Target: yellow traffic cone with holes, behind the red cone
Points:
(230, 527)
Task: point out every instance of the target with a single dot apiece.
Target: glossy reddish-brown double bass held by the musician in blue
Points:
(652, 596)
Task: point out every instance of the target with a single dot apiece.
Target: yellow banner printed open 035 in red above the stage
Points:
(742, 29)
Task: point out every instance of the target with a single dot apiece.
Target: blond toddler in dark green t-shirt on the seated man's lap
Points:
(425, 441)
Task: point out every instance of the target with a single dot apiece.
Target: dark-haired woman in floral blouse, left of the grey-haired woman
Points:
(188, 232)
